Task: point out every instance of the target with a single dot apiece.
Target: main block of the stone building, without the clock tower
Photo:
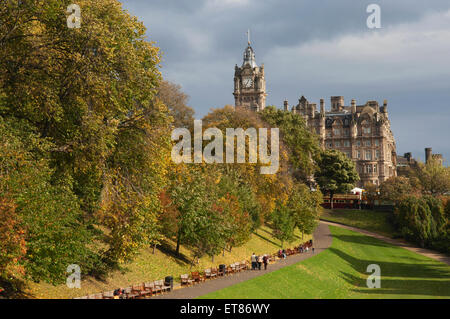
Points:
(362, 132)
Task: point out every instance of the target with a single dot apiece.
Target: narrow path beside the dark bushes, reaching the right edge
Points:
(397, 242)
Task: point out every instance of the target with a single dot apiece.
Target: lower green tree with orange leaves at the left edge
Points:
(36, 214)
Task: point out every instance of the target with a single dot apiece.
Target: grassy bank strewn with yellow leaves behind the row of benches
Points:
(148, 266)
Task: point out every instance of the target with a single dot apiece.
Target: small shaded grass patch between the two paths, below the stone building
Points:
(375, 221)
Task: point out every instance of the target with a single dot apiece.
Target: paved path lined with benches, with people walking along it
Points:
(322, 240)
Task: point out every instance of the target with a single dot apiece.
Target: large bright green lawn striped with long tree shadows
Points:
(340, 272)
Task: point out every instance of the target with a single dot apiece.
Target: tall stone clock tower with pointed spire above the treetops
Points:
(249, 82)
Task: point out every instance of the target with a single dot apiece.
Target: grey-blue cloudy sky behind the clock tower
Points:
(317, 49)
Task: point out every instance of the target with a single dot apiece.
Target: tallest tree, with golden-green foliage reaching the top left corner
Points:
(89, 96)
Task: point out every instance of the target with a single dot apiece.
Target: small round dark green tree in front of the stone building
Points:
(336, 173)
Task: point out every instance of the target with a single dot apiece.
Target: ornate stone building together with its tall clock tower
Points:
(362, 132)
